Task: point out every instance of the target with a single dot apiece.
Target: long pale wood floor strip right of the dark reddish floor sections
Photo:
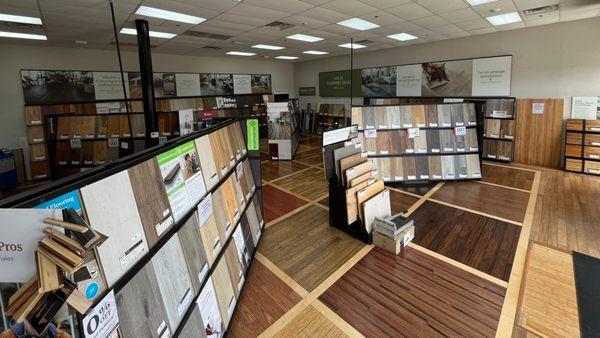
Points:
(511, 298)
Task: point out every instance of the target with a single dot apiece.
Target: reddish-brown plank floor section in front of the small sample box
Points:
(414, 294)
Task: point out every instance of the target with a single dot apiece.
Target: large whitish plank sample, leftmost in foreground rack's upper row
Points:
(111, 210)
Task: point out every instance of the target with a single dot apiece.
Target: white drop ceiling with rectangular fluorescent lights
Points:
(65, 21)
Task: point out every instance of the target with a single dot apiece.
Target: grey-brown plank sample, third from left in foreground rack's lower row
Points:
(194, 252)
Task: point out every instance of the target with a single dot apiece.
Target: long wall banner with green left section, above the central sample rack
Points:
(489, 76)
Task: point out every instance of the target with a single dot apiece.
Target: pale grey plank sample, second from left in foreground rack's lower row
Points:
(173, 280)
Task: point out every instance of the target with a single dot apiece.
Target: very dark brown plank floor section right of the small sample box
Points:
(480, 242)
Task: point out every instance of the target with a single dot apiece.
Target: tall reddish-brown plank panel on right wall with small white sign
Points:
(538, 138)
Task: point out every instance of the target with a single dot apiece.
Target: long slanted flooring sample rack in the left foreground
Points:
(192, 209)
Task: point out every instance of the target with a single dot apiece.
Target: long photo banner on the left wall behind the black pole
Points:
(69, 86)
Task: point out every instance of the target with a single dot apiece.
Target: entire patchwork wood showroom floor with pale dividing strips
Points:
(493, 257)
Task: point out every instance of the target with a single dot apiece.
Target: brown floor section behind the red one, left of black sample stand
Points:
(309, 183)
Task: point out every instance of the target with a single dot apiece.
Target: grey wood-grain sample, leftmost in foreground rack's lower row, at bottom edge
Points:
(141, 309)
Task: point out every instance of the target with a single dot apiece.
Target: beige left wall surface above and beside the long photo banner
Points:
(15, 57)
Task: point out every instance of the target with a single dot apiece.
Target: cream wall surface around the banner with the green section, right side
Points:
(553, 61)
